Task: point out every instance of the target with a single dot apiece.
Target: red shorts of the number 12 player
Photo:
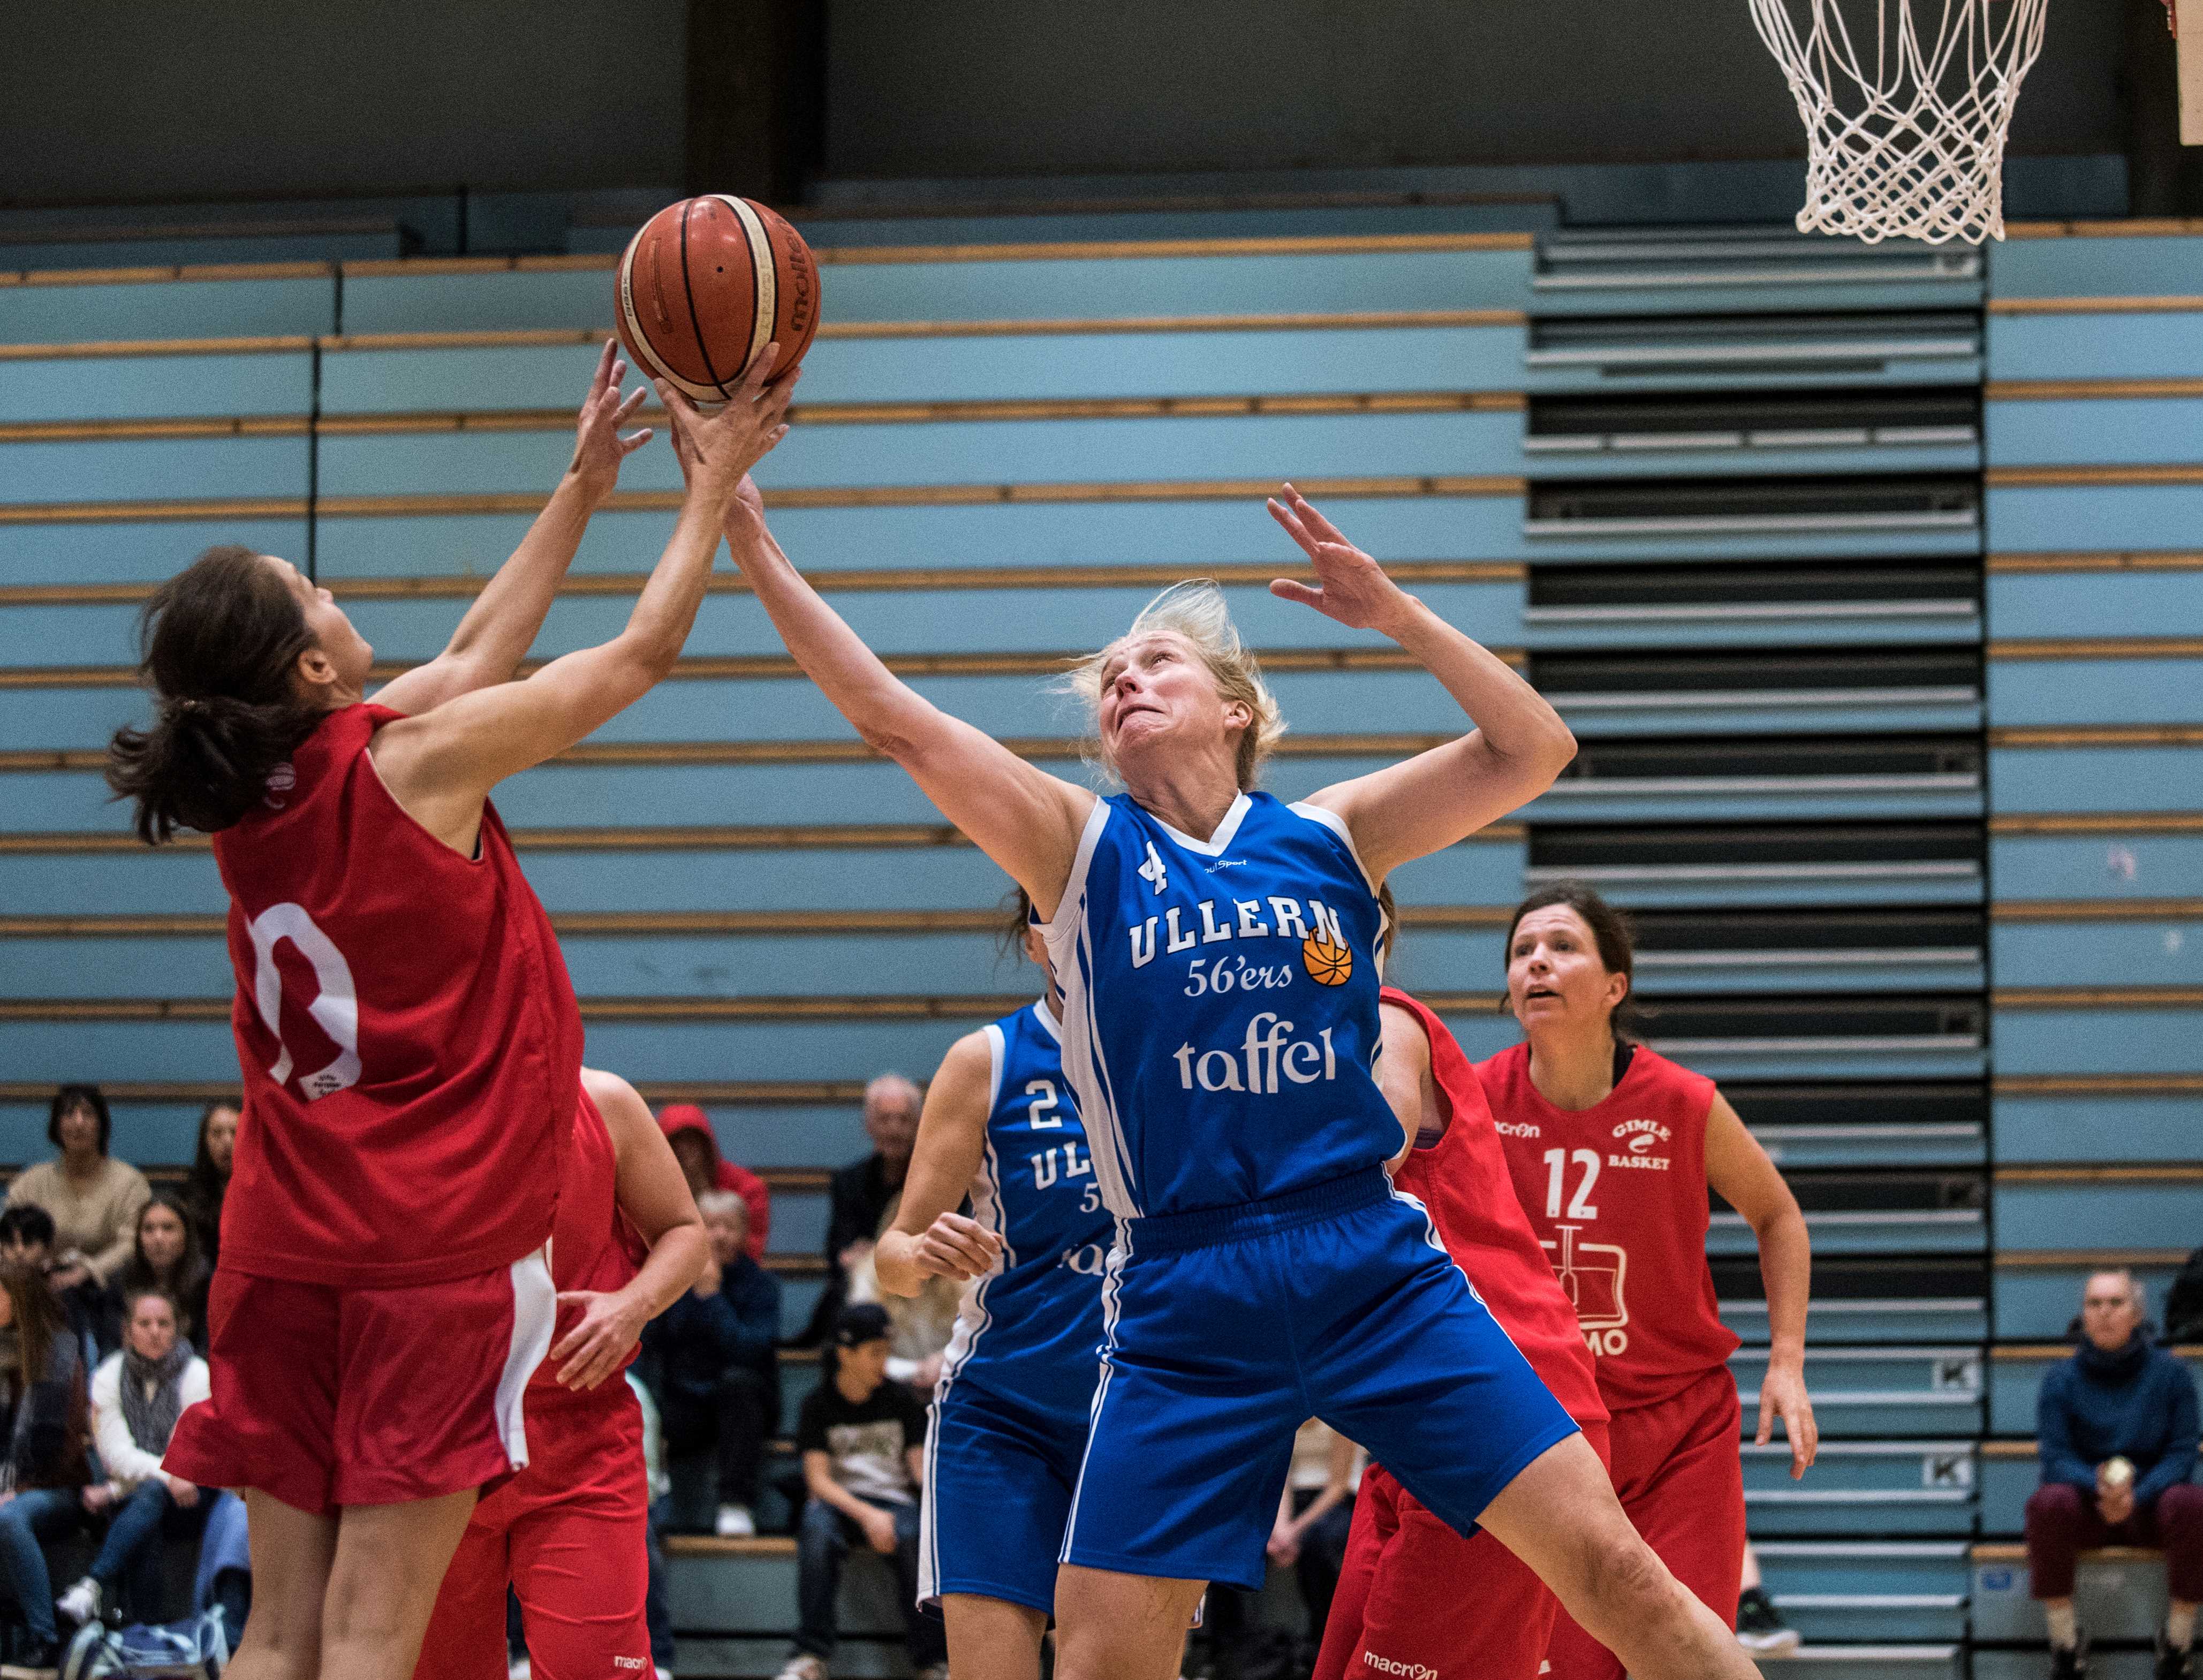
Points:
(1682, 1483)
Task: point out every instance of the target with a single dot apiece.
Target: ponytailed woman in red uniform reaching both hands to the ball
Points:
(409, 1036)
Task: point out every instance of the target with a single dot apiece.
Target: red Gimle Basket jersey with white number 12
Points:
(1618, 1197)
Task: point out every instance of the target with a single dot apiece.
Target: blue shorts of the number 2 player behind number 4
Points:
(999, 1483)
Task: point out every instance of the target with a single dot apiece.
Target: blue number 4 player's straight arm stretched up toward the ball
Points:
(1019, 816)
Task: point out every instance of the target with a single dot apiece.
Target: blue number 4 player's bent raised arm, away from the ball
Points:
(1515, 750)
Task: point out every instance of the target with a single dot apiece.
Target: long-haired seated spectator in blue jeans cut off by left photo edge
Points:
(43, 1465)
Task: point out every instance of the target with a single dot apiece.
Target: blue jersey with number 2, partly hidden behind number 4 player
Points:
(1032, 1329)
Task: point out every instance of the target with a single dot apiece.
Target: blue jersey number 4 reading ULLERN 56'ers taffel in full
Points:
(1222, 1005)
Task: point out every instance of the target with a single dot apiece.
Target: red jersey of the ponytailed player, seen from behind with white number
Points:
(409, 1034)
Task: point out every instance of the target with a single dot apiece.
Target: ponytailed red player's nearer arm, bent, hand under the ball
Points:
(444, 763)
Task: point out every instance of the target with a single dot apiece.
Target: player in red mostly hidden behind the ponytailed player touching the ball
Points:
(572, 1531)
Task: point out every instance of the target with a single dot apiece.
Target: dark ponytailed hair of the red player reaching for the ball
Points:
(219, 644)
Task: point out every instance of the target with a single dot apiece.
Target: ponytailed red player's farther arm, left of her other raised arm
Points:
(506, 618)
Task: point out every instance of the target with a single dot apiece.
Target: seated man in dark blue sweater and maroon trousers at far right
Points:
(2118, 1439)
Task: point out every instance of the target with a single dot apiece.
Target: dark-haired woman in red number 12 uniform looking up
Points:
(1611, 1150)
